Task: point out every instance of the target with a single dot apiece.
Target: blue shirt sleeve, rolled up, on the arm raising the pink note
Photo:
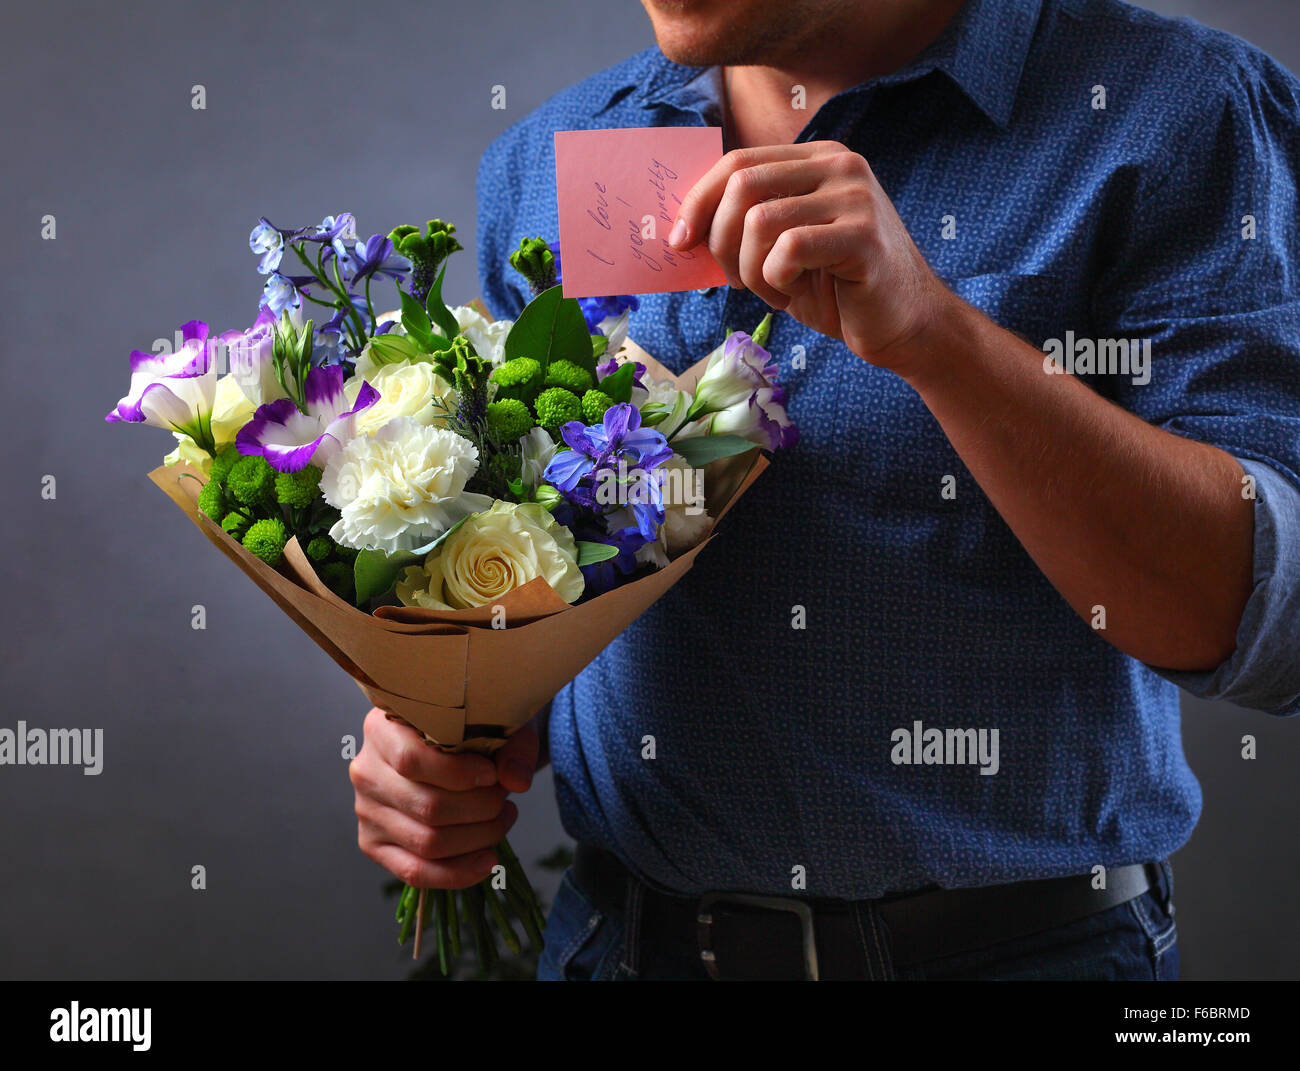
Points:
(1210, 272)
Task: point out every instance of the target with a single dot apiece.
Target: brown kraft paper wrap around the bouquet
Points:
(462, 683)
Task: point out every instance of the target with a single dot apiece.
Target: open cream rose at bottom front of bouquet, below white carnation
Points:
(495, 553)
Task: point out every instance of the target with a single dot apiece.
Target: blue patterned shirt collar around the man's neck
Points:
(982, 50)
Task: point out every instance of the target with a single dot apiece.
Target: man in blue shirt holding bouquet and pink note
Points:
(1037, 261)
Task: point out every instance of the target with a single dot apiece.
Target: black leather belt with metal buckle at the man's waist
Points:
(743, 936)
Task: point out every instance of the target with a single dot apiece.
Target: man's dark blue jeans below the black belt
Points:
(1134, 942)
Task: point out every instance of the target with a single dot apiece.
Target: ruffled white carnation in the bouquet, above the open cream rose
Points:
(402, 487)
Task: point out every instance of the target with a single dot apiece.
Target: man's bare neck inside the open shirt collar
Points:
(844, 51)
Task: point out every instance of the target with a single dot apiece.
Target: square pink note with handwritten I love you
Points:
(618, 194)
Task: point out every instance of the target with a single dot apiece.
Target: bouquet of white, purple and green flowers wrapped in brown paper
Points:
(462, 513)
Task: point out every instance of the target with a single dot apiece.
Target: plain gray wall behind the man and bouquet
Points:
(223, 745)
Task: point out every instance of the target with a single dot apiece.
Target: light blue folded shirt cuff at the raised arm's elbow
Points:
(1264, 671)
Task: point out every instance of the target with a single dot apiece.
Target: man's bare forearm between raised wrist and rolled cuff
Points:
(1116, 513)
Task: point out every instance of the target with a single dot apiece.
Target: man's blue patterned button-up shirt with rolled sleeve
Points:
(1065, 166)
